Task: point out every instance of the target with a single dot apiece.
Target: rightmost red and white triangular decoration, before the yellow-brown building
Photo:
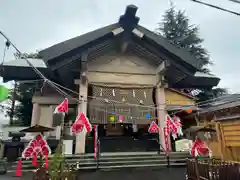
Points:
(199, 148)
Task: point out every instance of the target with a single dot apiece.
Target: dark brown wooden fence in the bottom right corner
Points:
(212, 170)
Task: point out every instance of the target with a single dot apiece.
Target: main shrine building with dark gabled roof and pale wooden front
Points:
(122, 69)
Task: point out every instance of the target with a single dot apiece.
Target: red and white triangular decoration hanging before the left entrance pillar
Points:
(80, 123)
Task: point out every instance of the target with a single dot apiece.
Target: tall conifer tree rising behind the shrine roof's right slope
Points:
(175, 26)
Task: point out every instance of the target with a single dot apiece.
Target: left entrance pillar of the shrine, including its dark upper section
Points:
(82, 107)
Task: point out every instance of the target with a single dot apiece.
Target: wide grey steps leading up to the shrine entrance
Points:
(108, 161)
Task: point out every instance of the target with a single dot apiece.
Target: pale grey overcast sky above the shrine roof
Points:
(34, 25)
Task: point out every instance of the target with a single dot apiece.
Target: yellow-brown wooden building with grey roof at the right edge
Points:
(223, 115)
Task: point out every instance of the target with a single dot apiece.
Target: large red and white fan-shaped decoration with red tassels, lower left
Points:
(37, 147)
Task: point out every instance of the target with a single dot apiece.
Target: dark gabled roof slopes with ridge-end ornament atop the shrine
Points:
(129, 18)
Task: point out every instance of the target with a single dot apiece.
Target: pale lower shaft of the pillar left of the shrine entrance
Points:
(82, 107)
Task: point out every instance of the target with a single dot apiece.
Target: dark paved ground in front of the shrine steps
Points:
(123, 174)
